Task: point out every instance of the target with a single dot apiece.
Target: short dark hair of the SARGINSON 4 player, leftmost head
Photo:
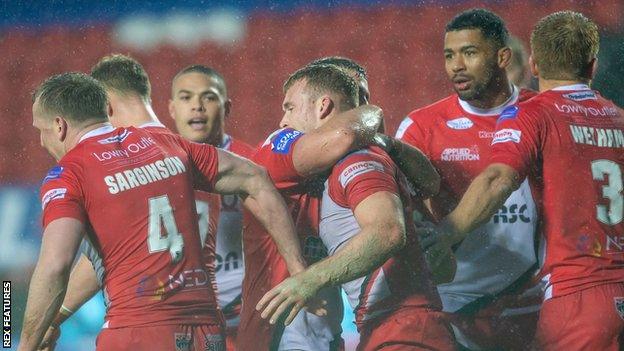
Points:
(73, 95)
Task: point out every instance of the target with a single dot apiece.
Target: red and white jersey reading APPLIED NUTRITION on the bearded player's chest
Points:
(456, 137)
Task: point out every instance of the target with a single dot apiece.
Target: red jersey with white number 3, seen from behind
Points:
(569, 141)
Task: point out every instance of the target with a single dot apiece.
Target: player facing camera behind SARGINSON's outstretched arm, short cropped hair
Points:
(200, 106)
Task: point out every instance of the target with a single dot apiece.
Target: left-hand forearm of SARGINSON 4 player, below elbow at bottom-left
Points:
(47, 289)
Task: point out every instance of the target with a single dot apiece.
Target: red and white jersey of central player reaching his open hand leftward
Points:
(404, 279)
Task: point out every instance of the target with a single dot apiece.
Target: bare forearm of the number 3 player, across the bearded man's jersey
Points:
(485, 195)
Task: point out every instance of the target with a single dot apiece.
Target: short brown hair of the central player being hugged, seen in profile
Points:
(323, 78)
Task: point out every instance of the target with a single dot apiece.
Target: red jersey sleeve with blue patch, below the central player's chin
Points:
(276, 155)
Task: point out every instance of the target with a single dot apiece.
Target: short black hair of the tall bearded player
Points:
(492, 27)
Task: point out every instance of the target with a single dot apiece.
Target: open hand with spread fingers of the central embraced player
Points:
(292, 295)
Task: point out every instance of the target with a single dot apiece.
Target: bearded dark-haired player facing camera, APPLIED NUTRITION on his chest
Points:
(485, 299)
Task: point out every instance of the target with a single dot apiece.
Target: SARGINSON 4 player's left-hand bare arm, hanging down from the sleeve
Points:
(48, 284)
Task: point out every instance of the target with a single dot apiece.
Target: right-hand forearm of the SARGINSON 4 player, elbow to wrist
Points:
(267, 205)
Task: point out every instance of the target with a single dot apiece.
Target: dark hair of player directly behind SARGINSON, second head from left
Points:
(124, 75)
